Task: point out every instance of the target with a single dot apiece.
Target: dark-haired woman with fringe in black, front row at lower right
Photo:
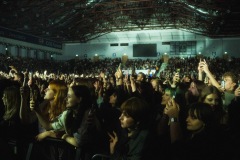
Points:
(203, 140)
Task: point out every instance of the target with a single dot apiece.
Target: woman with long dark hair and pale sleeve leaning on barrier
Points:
(78, 122)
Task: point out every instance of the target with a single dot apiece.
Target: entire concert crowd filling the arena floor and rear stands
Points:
(188, 110)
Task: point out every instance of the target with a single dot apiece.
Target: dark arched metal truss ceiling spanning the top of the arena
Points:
(84, 20)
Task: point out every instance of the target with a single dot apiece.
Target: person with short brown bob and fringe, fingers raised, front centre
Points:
(138, 143)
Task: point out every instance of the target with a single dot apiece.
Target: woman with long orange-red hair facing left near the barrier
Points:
(53, 105)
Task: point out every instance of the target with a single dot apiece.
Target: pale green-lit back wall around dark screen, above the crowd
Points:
(207, 47)
